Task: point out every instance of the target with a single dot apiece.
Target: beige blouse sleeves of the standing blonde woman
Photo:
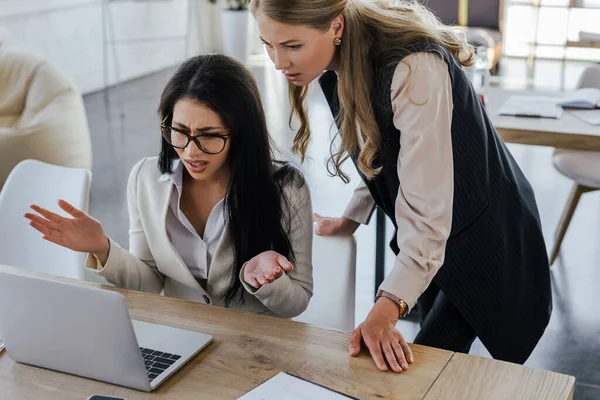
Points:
(421, 95)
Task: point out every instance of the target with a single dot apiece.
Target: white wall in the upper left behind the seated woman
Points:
(136, 38)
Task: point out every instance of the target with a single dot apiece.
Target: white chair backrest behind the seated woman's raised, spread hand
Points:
(35, 182)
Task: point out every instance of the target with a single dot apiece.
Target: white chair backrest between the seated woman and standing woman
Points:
(334, 276)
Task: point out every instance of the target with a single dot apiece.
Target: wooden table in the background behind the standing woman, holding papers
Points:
(568, 132)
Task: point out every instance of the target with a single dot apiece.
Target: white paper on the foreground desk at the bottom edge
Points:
(286, 387)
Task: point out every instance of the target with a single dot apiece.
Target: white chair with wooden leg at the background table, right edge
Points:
(583, 167)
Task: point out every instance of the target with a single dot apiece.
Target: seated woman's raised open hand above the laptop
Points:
(80, 233)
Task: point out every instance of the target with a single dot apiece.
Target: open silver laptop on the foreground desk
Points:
(87, 331)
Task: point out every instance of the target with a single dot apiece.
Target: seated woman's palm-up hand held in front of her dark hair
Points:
(266, 268)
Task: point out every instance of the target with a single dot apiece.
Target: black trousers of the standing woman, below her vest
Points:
(442, 325)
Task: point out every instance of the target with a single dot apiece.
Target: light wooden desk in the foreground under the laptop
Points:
(249, 349)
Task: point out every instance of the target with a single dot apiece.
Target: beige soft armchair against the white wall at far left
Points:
(42, 115)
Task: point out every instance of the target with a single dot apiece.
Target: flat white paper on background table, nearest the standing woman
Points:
(532, 106)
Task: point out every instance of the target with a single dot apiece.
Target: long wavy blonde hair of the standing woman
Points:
(370, 26)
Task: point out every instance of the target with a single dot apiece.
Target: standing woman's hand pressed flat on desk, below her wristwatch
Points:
(380, 335)
